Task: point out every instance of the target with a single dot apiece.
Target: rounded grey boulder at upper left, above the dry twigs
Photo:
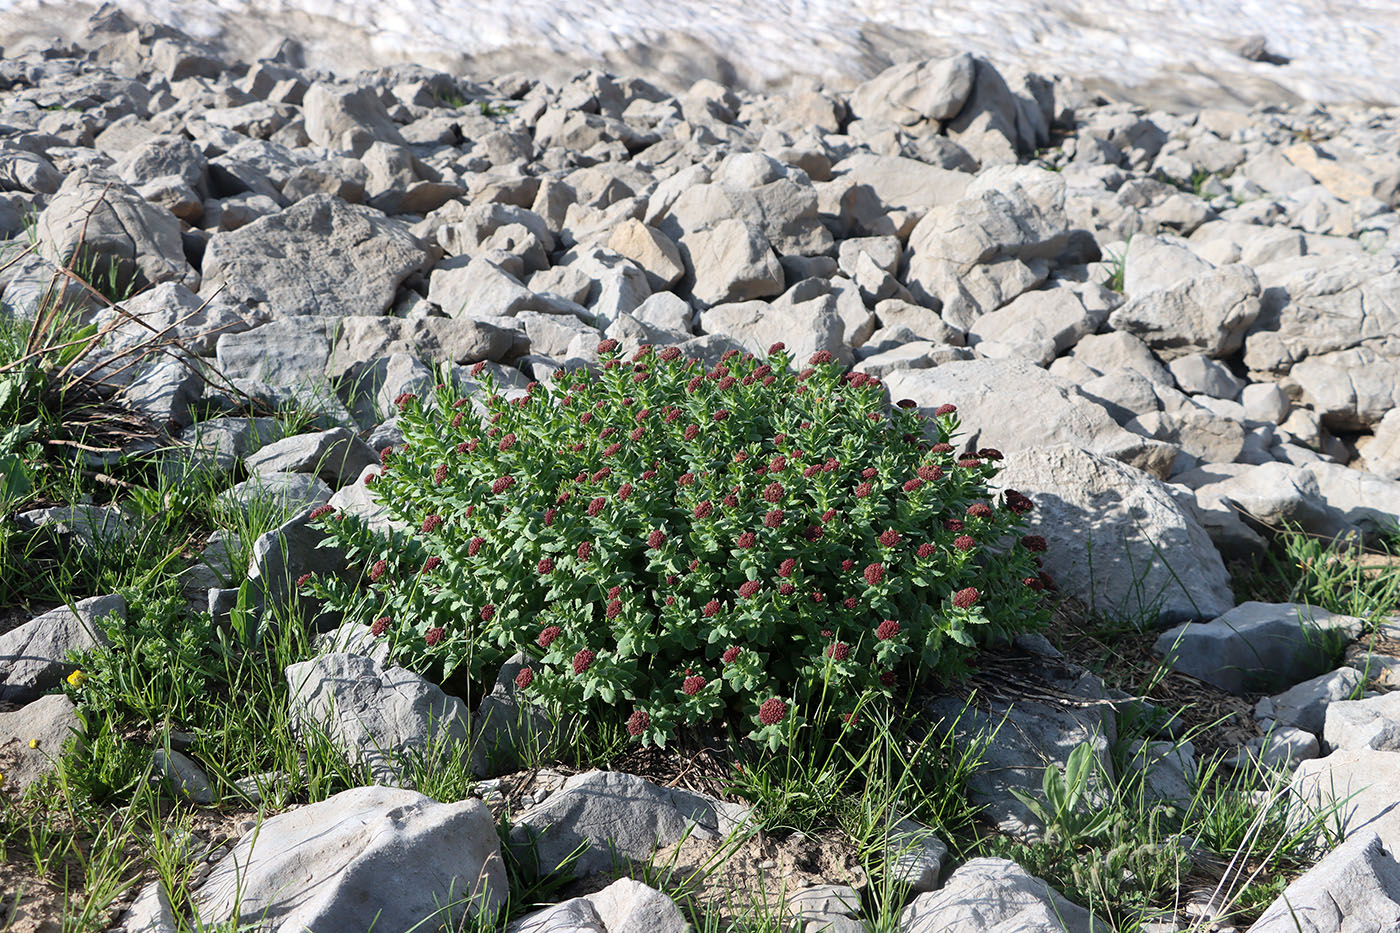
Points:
(111, 225)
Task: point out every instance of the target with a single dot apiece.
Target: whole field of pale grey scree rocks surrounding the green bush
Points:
(1181, 329)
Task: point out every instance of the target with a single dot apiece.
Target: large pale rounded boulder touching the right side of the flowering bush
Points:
(1118, 539)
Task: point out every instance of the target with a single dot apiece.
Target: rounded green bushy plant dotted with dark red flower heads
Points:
(680, 544)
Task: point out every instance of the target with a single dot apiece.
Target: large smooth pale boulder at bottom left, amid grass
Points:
(380, 855)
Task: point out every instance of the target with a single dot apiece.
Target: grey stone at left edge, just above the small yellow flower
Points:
(34, 656)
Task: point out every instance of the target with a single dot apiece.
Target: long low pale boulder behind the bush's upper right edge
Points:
(990, 399)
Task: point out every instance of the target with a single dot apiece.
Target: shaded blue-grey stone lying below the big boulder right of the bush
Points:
(1258, 645)
